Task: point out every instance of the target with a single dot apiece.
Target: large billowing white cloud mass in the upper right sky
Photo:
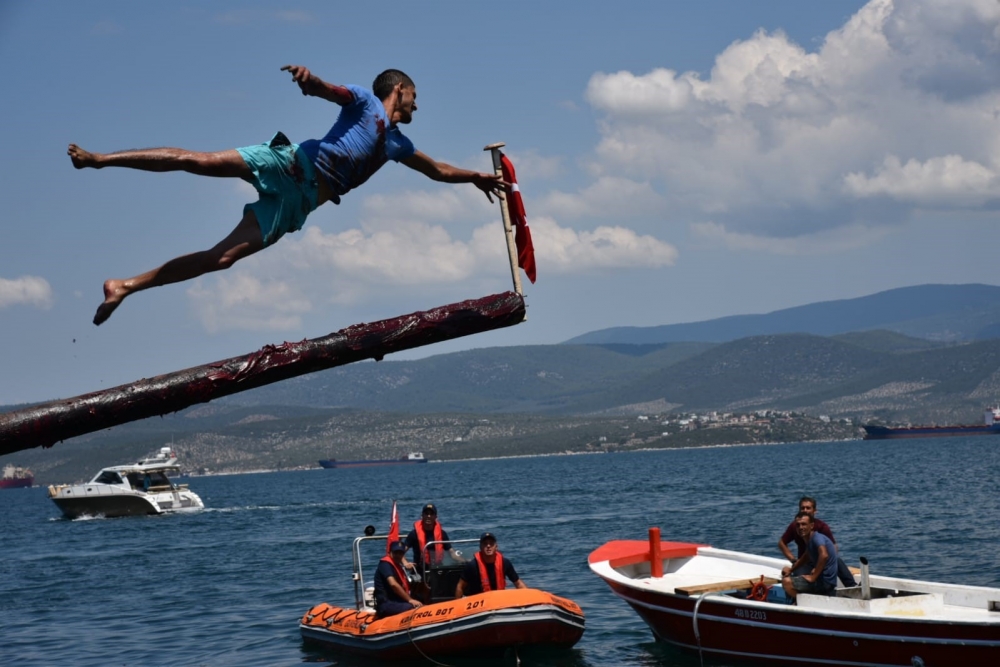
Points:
(777, 142)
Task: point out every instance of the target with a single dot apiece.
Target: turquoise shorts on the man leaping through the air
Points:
(286, 181)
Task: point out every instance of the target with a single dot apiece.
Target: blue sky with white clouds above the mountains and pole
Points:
(678, 161)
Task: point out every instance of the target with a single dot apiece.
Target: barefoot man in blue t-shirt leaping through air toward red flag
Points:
(292, 179)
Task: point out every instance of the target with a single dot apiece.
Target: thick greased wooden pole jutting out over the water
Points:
(46, 424)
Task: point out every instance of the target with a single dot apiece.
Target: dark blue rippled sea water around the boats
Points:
(227, 586)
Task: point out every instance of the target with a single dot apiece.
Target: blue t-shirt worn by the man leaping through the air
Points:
(358, 144)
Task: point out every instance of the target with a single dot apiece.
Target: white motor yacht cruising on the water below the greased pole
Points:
(128, 490)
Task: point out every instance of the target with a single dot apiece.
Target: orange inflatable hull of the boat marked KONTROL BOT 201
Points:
(477, 625)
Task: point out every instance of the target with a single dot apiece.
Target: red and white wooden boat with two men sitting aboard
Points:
(703, 599)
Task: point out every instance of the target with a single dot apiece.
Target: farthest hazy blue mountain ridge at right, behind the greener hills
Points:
(952, 313)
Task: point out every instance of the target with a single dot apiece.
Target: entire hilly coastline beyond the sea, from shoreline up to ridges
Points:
(821, 359)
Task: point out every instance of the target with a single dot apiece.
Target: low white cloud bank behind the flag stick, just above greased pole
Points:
(353, 266)
